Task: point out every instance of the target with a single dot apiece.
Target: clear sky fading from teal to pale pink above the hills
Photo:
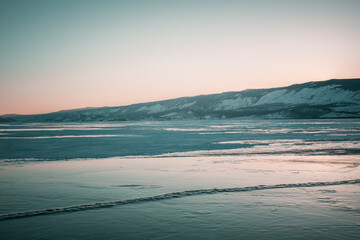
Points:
(68, 54)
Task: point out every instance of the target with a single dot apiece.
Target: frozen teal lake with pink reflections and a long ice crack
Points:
(275, 179)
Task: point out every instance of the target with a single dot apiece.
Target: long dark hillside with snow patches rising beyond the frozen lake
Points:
(336, 98)
